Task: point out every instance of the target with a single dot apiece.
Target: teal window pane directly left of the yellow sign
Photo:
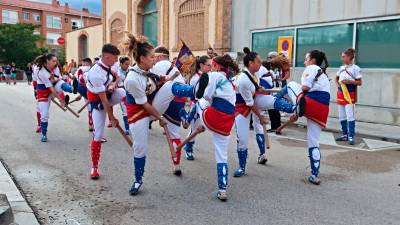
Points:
(265, 42)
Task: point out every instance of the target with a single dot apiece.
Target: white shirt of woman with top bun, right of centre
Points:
(246, 88)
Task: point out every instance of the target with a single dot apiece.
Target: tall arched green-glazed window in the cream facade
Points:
(150, 21)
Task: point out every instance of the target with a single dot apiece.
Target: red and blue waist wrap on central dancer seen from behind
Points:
(220, 116)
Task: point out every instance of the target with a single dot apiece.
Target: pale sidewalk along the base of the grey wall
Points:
(371, 130)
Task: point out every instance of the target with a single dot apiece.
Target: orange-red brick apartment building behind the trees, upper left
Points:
(55, 20)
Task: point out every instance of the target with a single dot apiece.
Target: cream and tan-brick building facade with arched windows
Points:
(200, 23)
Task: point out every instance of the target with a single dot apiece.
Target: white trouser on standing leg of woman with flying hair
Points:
(140, 137)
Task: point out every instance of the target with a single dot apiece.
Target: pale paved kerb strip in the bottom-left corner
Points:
(22, 212)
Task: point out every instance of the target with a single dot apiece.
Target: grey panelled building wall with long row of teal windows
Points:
(369, 26)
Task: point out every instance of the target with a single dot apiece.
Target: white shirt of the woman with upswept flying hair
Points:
(136, 84)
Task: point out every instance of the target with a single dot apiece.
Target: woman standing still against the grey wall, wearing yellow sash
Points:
(348, 79)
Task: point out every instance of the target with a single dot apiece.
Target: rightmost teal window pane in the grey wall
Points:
(378, 44)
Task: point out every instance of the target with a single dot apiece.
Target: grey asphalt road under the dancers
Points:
(357, 187)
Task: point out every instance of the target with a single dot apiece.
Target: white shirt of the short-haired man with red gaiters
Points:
(97, 78)
